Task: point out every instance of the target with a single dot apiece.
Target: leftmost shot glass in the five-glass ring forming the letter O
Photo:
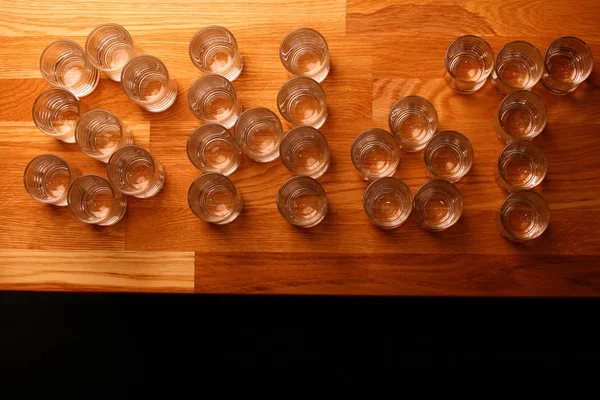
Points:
(375, 154)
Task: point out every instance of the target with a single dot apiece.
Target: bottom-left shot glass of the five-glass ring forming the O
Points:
(388, 202)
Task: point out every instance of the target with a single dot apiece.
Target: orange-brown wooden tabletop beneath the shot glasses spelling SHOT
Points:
(380, 52)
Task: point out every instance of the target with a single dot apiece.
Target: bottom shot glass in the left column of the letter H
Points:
(214, 198)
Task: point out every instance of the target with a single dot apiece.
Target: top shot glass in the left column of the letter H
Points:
(213, 49)
